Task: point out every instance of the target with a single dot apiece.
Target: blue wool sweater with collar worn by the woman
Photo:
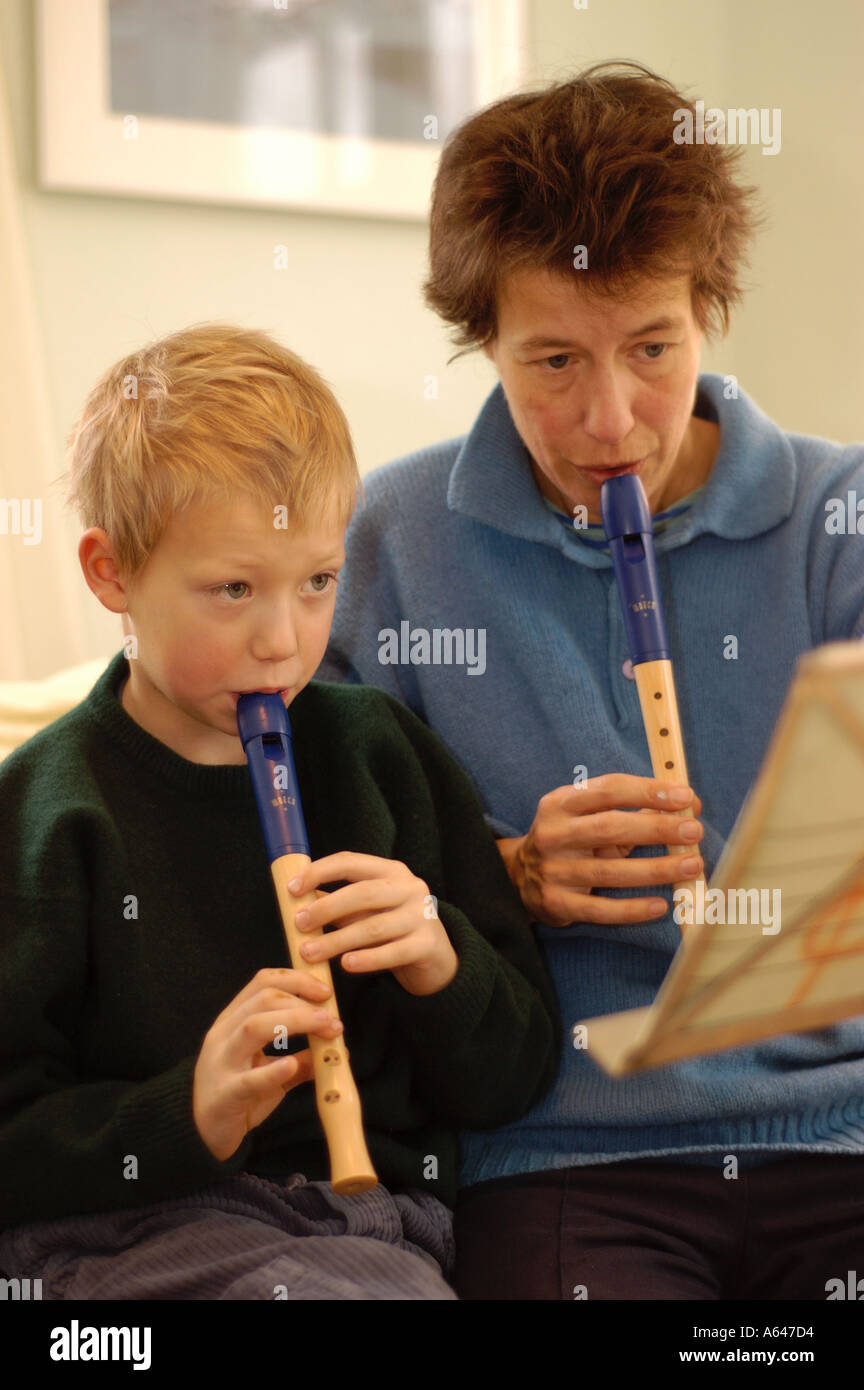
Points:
(458, 536)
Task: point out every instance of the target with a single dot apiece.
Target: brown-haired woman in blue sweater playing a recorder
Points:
(587, 252)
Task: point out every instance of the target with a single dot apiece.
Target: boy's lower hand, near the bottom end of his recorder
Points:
(235, 1085)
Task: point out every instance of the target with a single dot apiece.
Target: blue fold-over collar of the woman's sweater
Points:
(751, 489)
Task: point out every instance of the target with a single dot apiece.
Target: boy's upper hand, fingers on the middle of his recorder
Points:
(387, 910)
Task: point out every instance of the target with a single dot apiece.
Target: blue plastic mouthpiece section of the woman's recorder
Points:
(627, 522)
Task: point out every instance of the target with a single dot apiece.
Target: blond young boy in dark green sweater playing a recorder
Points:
(151, 1146)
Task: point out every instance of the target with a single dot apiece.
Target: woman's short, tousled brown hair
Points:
(592, 163)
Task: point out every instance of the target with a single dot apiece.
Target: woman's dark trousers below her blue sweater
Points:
(651, 1231)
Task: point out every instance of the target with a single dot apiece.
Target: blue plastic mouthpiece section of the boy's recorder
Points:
(267, 740)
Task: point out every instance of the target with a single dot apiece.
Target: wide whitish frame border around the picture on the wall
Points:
(87, 145)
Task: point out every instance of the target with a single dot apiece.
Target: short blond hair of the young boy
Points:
(206, 415)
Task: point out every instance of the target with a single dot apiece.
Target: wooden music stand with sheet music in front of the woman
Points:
(801, 831)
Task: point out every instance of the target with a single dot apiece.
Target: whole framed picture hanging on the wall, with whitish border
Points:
(338, 106)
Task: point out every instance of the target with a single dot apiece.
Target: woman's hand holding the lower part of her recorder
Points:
(580, 842)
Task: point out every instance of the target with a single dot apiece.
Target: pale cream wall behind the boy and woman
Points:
(85, 279)
